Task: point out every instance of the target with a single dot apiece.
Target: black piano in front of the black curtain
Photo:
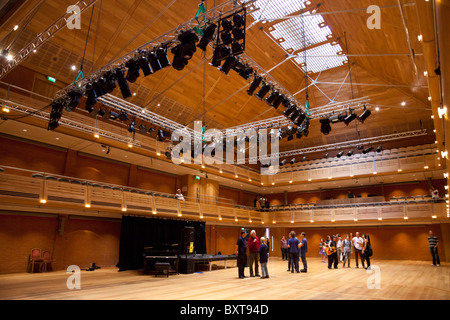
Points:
(161, 259)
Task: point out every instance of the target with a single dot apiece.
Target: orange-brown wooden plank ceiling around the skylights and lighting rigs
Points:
(120, 26)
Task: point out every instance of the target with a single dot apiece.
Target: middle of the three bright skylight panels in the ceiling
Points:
(310, 29)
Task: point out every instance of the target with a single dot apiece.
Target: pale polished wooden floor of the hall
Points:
(404, 280)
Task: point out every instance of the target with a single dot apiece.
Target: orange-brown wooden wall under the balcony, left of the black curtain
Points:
(82, 242)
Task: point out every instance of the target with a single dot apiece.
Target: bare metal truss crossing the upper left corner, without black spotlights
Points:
(40, 39)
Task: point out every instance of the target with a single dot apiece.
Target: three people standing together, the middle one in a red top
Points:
(258, 254)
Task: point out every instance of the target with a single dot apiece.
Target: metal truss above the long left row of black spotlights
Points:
(165, 40)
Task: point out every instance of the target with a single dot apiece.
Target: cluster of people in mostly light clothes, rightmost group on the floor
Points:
(338, 250)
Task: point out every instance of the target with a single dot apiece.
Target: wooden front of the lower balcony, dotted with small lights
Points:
(28, 188)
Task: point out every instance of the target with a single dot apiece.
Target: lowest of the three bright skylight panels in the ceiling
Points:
(321, 58)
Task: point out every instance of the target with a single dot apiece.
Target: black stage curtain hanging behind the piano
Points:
(137, 233)
